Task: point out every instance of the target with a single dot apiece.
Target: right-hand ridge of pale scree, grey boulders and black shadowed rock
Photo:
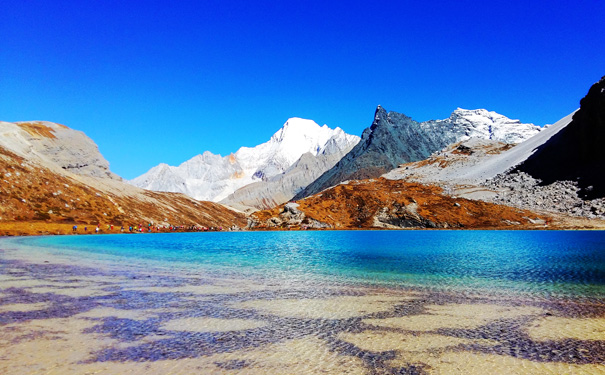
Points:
(558, 170)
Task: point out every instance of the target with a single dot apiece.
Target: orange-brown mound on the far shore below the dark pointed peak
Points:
(383, 203)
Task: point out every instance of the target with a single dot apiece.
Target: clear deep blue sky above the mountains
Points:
(155, 82)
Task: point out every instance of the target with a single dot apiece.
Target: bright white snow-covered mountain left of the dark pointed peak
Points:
(214, 177)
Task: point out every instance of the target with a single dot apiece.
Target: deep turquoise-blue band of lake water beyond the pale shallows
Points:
(535, 262)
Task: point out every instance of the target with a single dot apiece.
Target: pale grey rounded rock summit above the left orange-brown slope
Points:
(55, 146)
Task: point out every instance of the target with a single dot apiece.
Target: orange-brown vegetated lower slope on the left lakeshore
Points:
(34, 200)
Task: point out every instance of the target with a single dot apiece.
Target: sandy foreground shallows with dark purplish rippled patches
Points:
(62, 316)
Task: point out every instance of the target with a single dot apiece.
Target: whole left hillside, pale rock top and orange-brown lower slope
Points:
(40, 189)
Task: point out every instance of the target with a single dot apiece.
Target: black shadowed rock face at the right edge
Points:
(576, 153)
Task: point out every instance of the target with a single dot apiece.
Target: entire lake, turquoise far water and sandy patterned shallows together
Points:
(329, 302)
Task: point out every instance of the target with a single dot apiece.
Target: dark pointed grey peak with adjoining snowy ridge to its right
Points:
(394, 138)
